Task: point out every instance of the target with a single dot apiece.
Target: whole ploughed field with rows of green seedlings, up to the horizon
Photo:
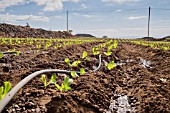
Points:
(138, 80)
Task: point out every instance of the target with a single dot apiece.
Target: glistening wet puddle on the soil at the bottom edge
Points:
(121, 104)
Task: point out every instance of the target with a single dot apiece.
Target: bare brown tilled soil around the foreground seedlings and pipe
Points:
(141, 78)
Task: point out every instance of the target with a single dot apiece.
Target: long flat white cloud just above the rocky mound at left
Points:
(10, 18)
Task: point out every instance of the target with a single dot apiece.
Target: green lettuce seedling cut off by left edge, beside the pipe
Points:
(5, 89)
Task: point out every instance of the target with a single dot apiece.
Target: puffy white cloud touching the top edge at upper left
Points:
(49, 5)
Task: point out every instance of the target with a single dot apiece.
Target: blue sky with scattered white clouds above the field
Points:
(112, 18)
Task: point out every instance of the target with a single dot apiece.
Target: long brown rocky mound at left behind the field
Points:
(7, 30)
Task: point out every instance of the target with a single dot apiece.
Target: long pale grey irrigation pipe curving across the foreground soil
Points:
(15, 89)
